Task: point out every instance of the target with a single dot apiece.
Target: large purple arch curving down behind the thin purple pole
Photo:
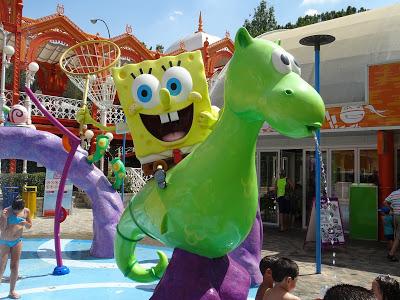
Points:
(47, 149)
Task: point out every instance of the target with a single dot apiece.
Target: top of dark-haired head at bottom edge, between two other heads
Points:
(348, 292)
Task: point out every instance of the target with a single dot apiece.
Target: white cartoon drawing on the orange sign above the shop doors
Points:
(352, 115)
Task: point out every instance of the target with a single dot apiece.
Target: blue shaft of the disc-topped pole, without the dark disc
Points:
(317, 176)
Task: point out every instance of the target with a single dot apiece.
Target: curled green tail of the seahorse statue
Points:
(128, 234)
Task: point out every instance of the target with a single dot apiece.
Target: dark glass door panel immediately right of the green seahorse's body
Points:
(268, 171)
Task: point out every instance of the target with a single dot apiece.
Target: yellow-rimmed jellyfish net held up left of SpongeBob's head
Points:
(88, 66)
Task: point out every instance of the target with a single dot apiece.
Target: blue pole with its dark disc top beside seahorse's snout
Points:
(316, 41)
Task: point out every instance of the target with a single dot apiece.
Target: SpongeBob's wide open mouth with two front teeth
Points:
(169, 127)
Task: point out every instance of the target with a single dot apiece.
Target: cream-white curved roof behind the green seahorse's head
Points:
(363, 39)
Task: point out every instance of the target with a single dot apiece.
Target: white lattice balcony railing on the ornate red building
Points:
(65, 108)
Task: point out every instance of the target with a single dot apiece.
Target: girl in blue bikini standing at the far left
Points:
(13, 220)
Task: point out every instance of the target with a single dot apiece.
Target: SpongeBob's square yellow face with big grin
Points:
(162, 100)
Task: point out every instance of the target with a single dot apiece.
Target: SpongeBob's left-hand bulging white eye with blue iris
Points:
(145, 90)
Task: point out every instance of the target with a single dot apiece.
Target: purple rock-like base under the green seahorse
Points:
(193, 277)
